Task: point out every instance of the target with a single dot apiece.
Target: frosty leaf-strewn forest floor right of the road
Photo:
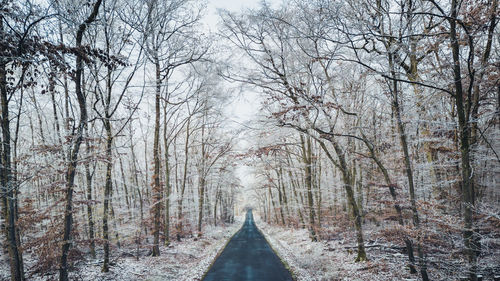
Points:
(335, 259)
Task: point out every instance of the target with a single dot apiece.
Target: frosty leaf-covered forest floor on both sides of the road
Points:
(331, 259)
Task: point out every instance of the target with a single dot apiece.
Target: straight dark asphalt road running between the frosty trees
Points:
(247, 257)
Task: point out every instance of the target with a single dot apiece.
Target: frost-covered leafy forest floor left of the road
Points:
(185, 260)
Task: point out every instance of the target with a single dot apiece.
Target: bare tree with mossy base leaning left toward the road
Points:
(266, 39)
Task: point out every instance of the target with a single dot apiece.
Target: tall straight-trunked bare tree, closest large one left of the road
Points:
(167, 28)
